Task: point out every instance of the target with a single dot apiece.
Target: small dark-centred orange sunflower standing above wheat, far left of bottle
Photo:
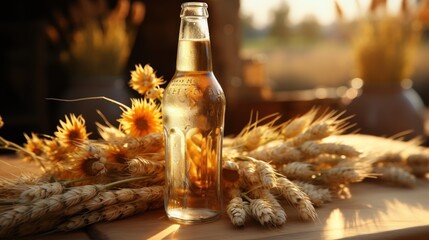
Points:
(72, 132)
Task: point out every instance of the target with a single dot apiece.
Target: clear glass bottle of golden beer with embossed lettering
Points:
(193, 116)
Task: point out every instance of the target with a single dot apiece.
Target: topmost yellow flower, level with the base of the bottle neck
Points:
(144, 79)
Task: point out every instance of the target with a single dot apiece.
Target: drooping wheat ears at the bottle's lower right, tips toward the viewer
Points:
(251, 191)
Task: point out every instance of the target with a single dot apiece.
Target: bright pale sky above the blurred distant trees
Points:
(323, 10)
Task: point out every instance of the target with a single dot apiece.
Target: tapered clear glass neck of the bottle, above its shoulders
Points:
(194, 50)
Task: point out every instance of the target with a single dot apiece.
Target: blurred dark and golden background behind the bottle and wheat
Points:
(269, 56)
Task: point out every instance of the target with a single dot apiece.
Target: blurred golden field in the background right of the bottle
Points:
(326, 63)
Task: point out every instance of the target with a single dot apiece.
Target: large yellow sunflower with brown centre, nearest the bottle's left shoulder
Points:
(142, 118)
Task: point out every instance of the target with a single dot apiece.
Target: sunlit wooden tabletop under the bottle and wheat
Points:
(375, 211)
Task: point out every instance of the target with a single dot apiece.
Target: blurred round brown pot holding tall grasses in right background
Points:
(387, 110)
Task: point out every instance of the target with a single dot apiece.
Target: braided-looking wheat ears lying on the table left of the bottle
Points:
(72, 208)
